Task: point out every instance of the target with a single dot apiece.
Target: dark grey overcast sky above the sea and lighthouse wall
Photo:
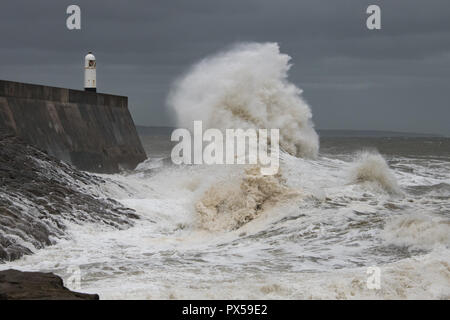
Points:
(396, 78)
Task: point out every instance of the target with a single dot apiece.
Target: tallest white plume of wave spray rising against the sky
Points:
(246, 87)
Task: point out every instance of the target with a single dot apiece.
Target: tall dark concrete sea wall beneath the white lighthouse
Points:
(92, 131)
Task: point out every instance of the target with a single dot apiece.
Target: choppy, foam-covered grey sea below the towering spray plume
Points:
(314, 241)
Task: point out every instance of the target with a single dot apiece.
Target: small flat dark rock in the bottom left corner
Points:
(18, 285)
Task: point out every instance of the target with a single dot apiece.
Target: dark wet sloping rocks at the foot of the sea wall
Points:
(39, 194)
